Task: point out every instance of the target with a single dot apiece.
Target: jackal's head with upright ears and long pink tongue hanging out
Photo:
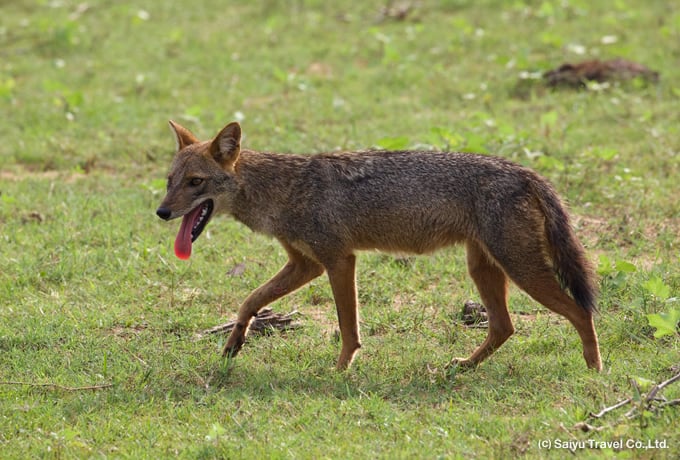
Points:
(201, 182)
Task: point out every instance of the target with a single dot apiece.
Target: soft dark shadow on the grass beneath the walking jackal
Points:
(408, 382)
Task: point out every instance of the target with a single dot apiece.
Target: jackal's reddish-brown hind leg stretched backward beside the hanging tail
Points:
(545, 289)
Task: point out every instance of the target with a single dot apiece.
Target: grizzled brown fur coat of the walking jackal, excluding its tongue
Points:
(323, 208)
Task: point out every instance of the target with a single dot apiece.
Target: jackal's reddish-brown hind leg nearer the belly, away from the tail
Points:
(492, 285)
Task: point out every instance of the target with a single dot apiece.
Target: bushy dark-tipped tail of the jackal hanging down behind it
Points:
(574, 272)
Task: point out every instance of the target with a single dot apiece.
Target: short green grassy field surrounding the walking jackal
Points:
(99, 355)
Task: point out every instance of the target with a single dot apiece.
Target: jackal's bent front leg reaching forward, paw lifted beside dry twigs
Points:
(298, 271)
